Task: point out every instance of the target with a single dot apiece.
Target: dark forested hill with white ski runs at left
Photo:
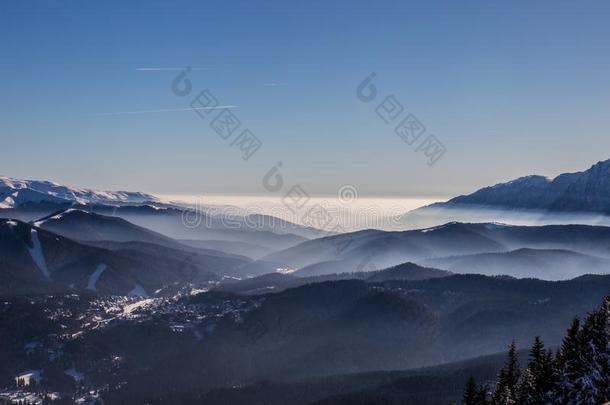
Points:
(38, 261)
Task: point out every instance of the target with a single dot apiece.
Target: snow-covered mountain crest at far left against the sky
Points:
(14, 192)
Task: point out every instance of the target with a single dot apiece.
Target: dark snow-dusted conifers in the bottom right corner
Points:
(577, 374)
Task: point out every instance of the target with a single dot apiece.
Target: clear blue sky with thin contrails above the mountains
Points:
(509, 88)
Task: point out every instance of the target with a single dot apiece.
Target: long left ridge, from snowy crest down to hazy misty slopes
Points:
(32, 200)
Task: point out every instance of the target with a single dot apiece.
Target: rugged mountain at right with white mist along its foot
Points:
(582, 198)
